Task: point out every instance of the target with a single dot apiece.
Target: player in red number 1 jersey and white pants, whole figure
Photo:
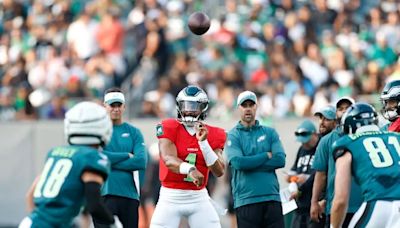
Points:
(189, 149)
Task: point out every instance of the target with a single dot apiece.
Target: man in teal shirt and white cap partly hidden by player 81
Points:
(324, 162)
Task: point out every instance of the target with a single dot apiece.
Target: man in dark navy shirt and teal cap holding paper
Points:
(302, 173)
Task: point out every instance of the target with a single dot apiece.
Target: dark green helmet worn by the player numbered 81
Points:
(358, 115)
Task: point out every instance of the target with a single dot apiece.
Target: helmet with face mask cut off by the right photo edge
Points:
(391, 92)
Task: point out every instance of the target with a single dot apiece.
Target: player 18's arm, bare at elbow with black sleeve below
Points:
(94, 203)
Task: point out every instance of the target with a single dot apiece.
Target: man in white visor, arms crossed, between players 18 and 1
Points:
(127, 154)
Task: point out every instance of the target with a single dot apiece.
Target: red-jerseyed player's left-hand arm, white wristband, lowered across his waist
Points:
(169, 155)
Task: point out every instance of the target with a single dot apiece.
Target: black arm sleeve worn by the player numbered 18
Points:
(95, 205)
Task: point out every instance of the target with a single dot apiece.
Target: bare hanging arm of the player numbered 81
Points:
(341, 198)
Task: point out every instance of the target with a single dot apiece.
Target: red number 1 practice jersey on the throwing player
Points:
(188, 150)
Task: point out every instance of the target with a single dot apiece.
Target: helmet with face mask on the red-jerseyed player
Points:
(192, 105)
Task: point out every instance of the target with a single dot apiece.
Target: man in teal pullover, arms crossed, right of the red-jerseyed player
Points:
(254, 153)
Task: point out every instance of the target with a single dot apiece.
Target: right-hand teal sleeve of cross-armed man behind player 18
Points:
(139, 159)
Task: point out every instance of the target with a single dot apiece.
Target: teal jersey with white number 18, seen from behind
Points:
(59, 193)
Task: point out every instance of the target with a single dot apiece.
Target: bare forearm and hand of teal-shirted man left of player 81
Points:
(316, 210)
